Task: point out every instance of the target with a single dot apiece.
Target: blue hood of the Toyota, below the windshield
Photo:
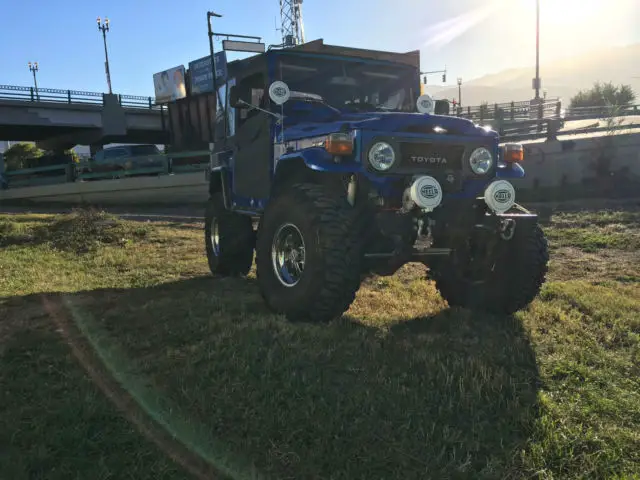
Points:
(392, 122)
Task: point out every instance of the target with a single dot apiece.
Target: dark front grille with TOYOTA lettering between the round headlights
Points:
(427, 156)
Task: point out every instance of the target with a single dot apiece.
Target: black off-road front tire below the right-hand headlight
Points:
(519, 275)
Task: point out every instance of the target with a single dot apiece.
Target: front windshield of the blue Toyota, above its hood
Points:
(351, 84)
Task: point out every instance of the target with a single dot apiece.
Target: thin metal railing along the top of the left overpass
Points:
(53, 95)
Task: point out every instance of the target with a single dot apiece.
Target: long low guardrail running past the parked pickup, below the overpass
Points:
(165, 164)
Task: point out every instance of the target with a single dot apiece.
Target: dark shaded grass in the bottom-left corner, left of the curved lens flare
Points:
(55, 423)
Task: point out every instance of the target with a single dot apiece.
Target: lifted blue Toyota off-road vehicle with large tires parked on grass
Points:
(349, 171)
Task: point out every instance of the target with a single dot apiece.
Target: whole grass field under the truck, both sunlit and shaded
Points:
(123, 358)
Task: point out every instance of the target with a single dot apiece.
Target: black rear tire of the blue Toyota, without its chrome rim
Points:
(237, 239)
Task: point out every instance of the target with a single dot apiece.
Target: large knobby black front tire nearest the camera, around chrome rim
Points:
(331, 275)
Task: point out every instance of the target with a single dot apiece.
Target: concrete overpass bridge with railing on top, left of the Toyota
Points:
(60, 119)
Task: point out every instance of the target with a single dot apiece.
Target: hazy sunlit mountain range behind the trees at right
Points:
(562, 78)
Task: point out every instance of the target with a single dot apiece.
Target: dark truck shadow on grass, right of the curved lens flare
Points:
(450, 395)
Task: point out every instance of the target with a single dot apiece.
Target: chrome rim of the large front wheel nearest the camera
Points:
(288, 254)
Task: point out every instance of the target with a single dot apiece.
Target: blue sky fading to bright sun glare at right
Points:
(470, 37)
